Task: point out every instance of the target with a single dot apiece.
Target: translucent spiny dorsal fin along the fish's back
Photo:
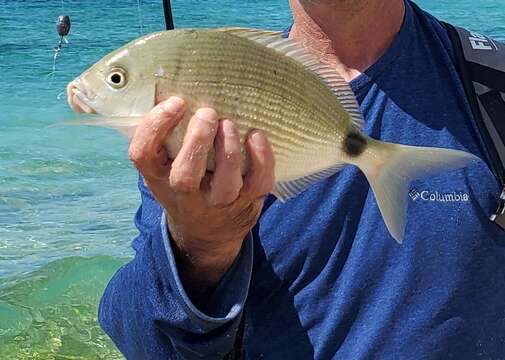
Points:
(289, 47)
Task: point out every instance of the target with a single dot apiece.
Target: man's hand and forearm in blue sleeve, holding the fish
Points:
(184, 295)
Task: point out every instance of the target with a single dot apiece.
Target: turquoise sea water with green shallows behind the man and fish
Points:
(67, 194)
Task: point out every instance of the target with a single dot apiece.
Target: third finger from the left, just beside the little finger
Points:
(227, 180)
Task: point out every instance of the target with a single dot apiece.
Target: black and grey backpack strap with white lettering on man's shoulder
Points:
(480, 62)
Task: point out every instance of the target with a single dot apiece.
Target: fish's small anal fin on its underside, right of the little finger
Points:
(285, 190)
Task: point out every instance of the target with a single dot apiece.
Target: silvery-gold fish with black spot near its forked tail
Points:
(259, 80)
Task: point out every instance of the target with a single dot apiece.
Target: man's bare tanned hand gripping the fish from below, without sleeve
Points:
(209, 215)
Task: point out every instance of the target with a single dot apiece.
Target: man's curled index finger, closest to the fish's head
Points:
(147, 150)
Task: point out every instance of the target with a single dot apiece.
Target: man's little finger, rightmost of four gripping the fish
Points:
(260, 176)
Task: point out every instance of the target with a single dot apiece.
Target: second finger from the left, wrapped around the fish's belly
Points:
(190, 164)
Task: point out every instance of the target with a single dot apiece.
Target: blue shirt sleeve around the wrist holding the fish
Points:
(145, 308)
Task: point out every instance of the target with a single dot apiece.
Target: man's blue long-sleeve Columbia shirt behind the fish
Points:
(320, 276)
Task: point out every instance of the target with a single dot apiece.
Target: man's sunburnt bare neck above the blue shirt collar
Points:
(351, 37)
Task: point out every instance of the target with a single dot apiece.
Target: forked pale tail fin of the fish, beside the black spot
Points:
(389, 169)
